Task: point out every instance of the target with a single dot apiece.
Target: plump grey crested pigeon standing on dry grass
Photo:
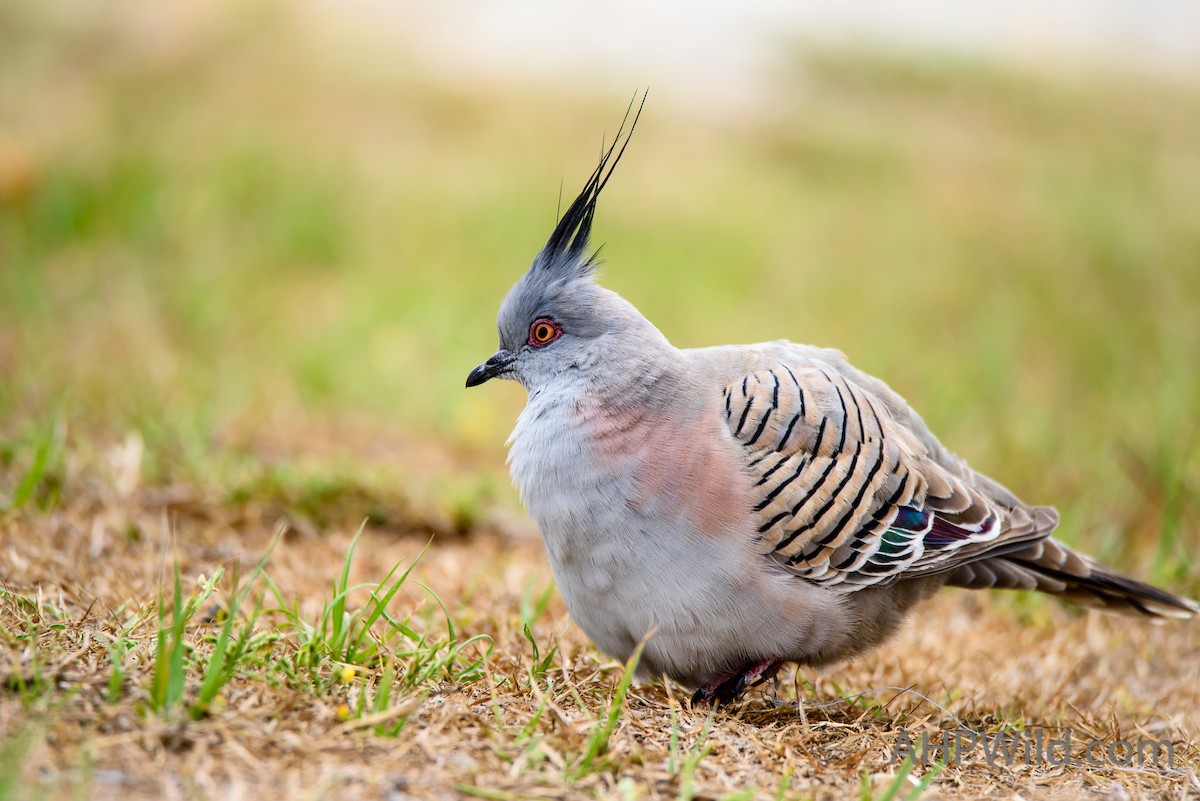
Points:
(743, 507)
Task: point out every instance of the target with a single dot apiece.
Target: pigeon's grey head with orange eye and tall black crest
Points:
(556, 318)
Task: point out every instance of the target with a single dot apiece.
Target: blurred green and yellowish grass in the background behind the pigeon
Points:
(261, 224)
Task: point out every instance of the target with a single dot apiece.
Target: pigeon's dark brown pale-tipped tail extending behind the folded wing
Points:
(1051, 567)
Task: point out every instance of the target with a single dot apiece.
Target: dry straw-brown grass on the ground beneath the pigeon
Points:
(976, 661)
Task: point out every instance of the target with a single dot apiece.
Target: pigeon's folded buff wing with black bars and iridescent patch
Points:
(845, 495)
